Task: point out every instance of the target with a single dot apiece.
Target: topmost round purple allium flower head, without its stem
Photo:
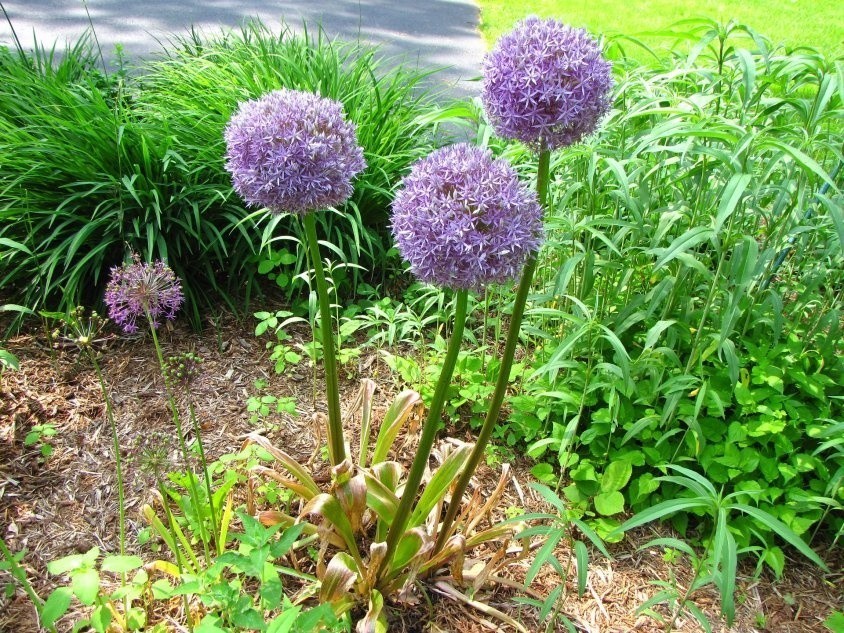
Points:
(546, 84)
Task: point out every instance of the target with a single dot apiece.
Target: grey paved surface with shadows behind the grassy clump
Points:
(427, 33)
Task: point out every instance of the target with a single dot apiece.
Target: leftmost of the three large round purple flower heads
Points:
(292, 151)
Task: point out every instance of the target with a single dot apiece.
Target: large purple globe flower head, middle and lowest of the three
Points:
(463, 220)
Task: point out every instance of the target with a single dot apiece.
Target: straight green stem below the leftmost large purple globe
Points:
(336, 445)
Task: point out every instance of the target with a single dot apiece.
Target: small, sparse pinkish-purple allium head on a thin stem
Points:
(137, 289)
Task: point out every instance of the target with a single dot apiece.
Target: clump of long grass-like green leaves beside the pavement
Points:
(92, 164)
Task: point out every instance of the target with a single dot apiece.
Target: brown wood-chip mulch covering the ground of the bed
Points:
(67, 503)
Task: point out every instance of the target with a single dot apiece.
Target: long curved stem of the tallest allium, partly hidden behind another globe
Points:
(504, 372)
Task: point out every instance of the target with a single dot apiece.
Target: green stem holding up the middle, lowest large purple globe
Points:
(429, 430)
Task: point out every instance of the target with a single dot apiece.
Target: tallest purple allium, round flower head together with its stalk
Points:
(545, 84)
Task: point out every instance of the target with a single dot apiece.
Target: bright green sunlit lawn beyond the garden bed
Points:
(795, 22)
